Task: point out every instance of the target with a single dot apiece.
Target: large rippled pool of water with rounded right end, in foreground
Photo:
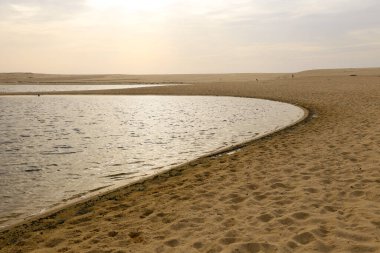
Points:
(58, 147)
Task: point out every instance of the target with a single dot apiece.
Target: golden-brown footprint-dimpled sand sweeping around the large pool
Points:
(314, 187)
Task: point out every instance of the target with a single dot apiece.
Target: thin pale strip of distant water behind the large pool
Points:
(71, 87)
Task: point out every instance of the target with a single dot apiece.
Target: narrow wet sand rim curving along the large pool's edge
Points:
(113, 189)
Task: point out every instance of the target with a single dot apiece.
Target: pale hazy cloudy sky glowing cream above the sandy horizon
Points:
(187, 36)
